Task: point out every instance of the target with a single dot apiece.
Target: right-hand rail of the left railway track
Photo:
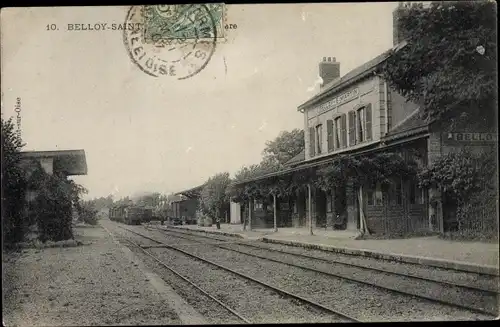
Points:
(276, 289)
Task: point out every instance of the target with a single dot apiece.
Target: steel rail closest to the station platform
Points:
(475, 288)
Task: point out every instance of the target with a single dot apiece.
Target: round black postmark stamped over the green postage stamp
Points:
(170, 40)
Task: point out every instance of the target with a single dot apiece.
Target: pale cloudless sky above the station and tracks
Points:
(80, 90)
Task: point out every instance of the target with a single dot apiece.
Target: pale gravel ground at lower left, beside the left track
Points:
(94, 284)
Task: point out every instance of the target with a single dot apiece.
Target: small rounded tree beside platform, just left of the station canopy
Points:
(213, 195)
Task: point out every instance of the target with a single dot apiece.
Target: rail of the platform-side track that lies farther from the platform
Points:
(445, 302)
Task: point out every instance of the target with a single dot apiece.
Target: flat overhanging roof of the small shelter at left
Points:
(73, 162)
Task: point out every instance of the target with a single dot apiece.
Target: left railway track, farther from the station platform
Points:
(331, 311)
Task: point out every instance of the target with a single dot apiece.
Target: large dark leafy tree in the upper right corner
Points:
(449, 62)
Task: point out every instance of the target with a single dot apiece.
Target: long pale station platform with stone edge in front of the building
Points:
(478, 257)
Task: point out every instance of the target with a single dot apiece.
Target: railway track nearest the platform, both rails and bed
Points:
(452, 294)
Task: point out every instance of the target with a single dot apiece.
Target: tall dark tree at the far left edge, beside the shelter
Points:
(13, 184)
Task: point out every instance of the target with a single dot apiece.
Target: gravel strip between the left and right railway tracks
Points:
(373, 303)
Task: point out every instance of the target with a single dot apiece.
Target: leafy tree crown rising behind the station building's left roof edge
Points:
(284, 147)
